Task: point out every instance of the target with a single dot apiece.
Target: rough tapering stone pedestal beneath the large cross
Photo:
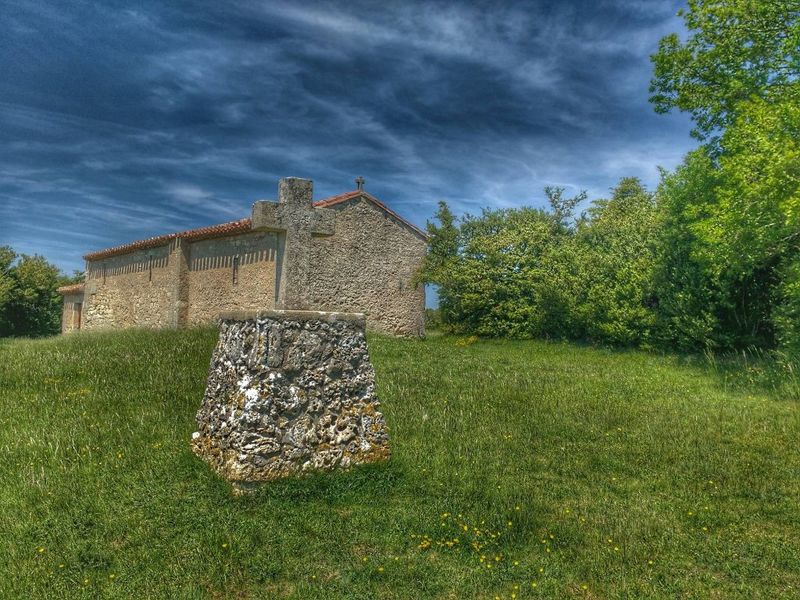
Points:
(289, 392)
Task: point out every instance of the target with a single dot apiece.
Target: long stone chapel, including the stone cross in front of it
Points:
(346, 253)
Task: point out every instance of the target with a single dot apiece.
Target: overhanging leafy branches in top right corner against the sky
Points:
(737, 50)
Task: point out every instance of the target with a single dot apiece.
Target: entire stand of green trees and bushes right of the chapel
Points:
(709, 260)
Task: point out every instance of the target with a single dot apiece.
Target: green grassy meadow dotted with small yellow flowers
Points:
(601, 474)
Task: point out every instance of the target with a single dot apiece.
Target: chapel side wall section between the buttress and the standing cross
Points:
(211, 287)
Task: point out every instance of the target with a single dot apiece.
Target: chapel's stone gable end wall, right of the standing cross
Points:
(368, 266)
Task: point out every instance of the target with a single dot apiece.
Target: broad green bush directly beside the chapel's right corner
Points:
(497, 273)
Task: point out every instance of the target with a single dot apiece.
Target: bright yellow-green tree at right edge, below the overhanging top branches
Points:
(754, 228)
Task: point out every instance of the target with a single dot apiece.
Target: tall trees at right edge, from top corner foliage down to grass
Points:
(728, 248)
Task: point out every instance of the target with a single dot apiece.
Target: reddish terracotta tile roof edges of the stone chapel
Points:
(240, 226)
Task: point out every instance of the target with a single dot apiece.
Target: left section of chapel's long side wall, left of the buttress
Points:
(130, 290)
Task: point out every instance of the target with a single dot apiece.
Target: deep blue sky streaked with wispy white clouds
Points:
(118, 123)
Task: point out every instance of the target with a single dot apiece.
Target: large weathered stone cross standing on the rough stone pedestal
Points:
(296, 217)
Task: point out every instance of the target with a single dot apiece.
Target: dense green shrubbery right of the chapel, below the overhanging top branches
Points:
(709, 262)
